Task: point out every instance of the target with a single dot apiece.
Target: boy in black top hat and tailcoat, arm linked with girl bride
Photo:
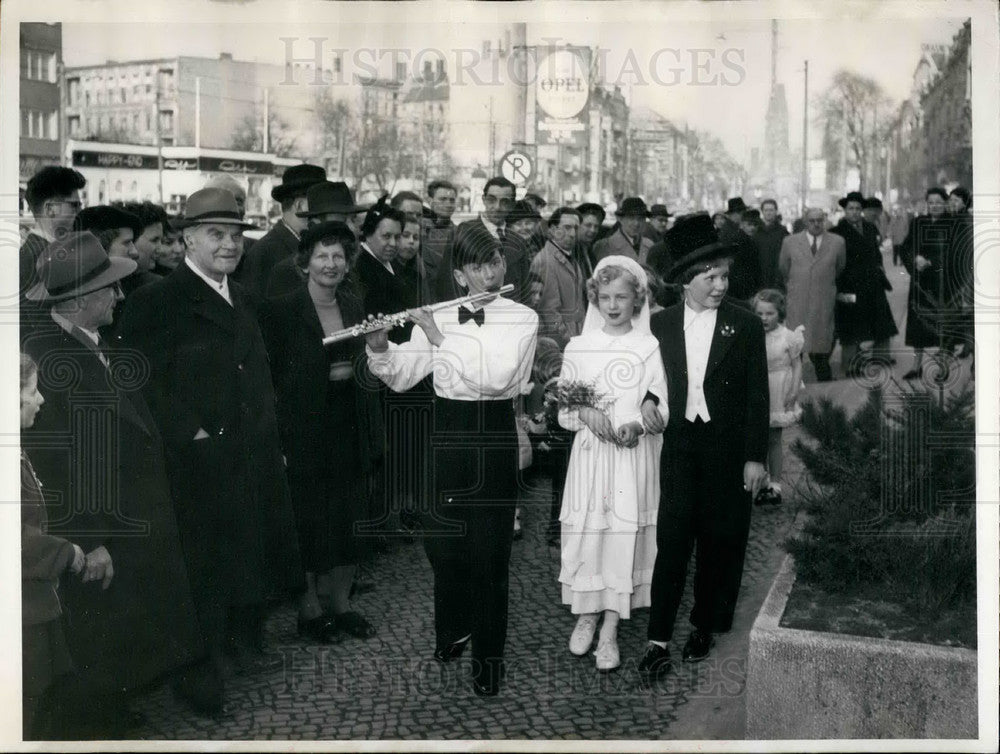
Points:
(715, 444)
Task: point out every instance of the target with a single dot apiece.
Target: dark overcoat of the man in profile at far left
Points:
(100, 459)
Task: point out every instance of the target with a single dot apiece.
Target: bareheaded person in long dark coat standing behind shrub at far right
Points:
(925, 255)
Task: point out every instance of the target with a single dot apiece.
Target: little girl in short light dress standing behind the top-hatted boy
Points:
(784, 377)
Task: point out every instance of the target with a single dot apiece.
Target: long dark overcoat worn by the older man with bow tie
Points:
(209, 370)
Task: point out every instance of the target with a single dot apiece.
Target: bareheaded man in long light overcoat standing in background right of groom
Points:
(809, 264)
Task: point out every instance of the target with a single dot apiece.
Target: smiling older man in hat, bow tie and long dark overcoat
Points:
(211, 393)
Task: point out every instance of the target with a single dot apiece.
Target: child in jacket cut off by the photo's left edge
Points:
(46, 662)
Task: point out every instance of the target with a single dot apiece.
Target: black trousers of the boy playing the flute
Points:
(469, 529)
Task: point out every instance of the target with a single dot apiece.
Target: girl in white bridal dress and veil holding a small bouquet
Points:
(612, 488)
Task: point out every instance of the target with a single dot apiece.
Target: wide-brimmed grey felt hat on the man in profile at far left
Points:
(75, 265)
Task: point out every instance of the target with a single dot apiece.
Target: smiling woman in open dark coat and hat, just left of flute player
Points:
(330, 425)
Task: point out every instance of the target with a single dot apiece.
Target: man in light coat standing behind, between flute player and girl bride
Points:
(563, 303)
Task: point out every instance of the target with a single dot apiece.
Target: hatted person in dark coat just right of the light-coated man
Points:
(862, 311)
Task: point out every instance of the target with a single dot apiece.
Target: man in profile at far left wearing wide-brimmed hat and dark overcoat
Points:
(98, 452)
